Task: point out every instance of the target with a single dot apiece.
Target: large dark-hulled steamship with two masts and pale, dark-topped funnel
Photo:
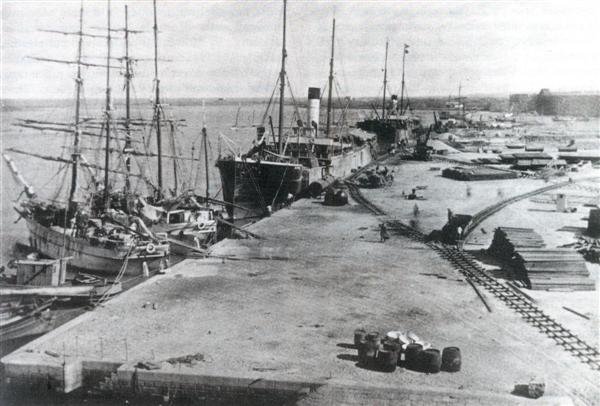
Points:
(281, 168)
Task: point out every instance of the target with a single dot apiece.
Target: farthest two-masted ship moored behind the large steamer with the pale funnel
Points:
(394, 126)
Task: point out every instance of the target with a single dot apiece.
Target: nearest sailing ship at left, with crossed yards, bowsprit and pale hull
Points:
(97, 236)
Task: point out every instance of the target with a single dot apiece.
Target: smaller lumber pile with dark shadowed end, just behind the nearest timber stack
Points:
(508, 239)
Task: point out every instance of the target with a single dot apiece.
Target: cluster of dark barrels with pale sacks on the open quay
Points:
(408, 351)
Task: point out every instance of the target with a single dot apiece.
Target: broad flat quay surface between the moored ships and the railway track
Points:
(276, 316)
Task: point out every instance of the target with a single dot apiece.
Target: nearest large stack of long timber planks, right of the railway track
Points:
(553, 269)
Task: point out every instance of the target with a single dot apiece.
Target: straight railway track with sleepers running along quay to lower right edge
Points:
(466, 265)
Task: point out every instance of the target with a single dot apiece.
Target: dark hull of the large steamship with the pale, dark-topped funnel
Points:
(257, 184)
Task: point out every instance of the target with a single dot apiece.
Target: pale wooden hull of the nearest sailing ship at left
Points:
(101, 260)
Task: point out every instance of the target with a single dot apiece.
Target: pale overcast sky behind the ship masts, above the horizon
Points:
(233, 48)
